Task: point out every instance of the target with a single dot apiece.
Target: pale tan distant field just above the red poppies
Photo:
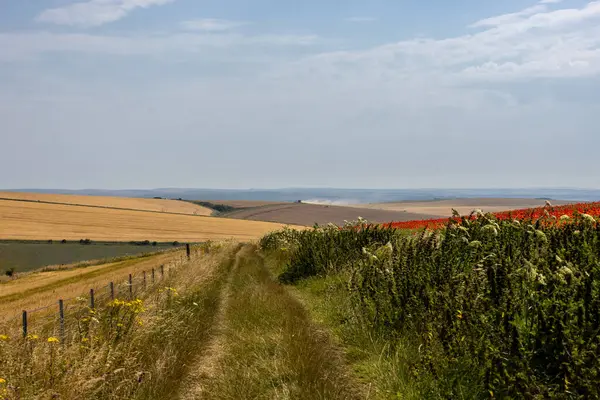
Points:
(443, 208)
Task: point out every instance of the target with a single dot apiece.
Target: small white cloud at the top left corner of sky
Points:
(95, 12)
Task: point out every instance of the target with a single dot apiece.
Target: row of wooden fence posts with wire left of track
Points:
(56, 321)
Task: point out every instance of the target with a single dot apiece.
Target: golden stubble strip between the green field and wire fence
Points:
(45, 288)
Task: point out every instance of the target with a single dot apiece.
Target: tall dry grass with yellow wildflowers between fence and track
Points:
(131, 349)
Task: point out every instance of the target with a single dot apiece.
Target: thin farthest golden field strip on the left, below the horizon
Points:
(156, 205)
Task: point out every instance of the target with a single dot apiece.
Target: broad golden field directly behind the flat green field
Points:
(40, 221)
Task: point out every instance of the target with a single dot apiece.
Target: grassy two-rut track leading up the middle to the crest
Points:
(264, 345)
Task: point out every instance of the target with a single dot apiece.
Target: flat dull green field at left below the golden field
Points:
(27, 256)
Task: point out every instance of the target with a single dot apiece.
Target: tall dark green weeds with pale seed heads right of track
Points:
(492, 308)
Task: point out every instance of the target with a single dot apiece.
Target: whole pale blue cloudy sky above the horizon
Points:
(121, 94)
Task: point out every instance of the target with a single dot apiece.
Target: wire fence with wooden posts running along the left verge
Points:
(63, 318)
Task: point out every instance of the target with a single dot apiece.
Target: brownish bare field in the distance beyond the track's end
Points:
(309, 214)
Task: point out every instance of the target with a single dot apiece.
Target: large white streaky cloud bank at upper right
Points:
(532, 43)
